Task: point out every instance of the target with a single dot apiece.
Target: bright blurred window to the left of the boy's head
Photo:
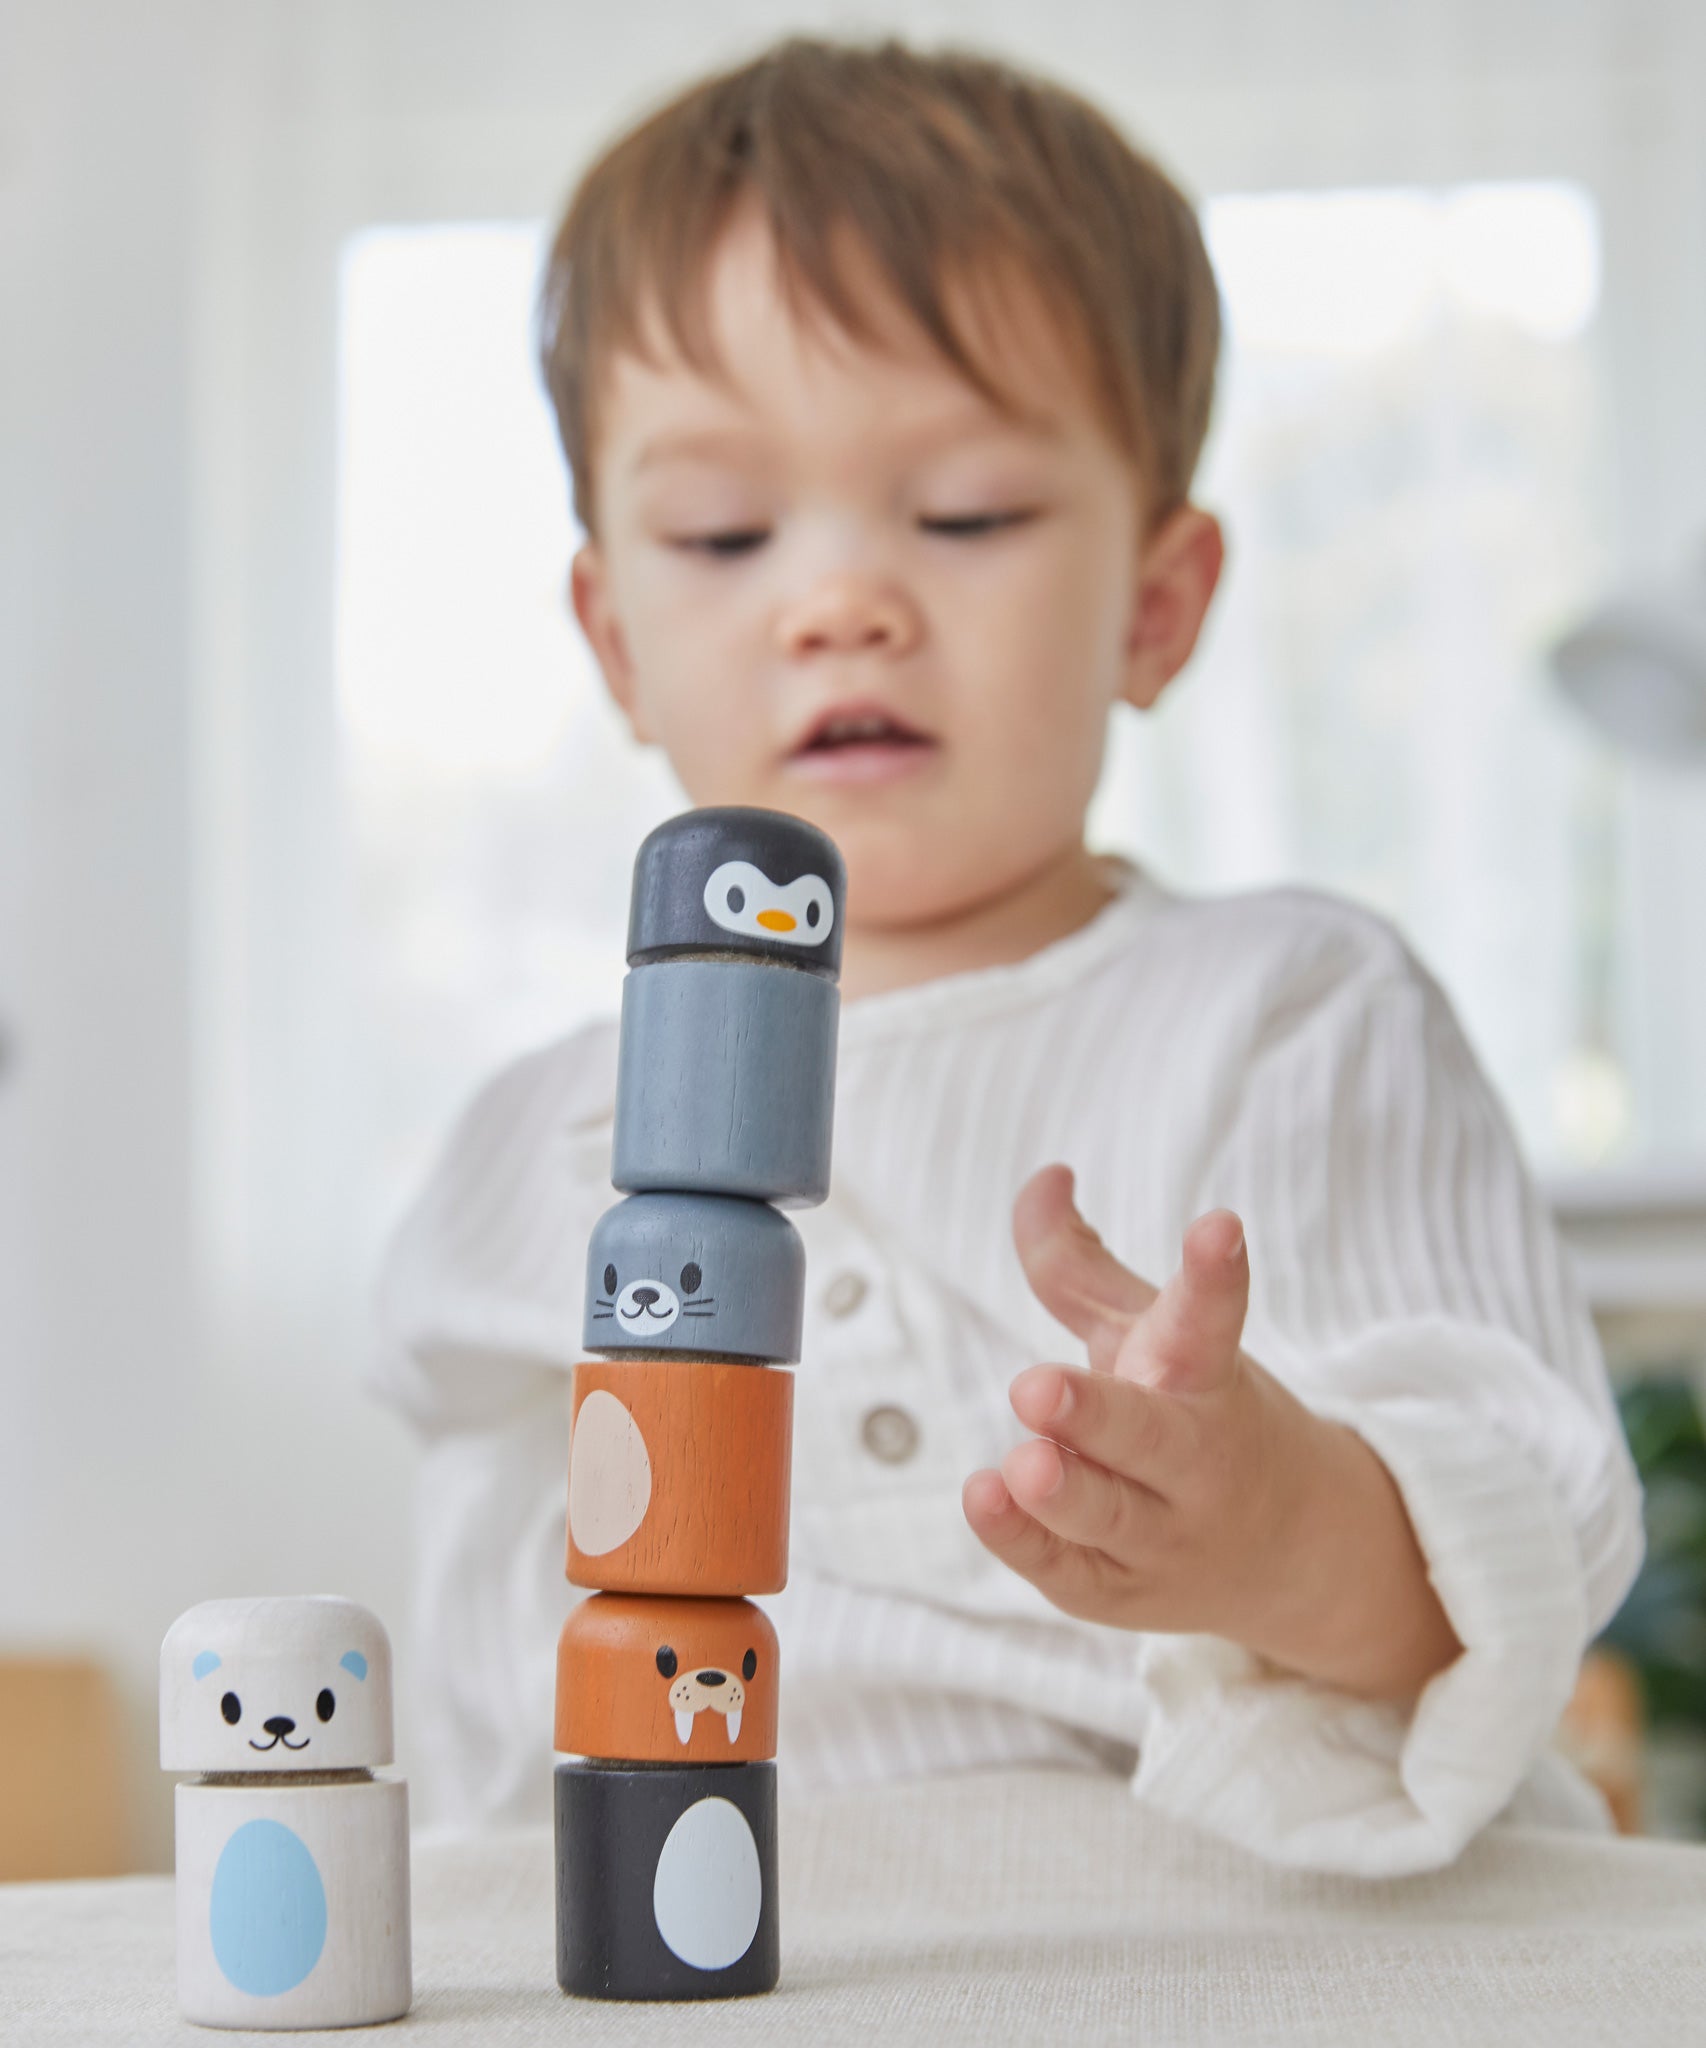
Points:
(495, 796)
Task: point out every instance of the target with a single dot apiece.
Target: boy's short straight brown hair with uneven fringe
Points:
(939, 165)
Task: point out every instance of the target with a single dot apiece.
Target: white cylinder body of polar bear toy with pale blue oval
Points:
(294, 1904)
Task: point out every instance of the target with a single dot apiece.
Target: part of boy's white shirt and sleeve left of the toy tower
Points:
(480, 1328)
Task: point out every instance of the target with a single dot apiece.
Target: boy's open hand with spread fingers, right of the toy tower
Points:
(1177, 1486)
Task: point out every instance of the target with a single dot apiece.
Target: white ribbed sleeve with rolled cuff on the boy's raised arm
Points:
(1410, 1285)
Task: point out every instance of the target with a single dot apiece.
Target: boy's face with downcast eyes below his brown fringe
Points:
(849, 589)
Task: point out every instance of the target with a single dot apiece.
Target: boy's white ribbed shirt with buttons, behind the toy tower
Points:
(1277, 1054)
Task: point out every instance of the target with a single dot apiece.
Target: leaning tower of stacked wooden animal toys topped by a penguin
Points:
(683, 1435)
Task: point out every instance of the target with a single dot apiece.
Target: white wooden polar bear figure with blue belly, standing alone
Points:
(294, 1859)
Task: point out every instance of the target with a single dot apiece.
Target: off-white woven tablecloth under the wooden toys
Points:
(1021, 1908)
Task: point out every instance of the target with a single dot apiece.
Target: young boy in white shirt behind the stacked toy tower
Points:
(882, 380)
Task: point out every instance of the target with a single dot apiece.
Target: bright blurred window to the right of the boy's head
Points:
(1408, 460)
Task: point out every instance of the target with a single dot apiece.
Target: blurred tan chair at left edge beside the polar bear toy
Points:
(62, 1793)
